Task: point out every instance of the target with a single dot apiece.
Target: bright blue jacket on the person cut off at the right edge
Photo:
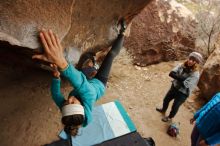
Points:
(208, 120)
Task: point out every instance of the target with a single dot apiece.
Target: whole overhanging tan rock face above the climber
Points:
(80, 24)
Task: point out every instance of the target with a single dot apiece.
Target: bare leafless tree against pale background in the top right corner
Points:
(208, 17)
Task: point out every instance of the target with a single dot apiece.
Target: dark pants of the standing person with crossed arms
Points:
(179, 99)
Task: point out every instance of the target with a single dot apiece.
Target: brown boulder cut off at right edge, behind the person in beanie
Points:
(209, 82)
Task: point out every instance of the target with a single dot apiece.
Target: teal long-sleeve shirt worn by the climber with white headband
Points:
(89, 91)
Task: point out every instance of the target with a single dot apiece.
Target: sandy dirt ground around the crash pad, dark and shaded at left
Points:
(30, 118)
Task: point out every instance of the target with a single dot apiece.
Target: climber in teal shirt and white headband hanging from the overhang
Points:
(77, 108)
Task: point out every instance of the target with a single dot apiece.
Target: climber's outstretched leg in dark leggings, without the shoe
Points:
(105, 68)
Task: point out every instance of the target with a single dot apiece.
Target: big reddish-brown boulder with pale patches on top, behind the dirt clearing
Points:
(158, 33)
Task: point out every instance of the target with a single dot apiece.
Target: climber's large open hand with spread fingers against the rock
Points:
(53, 51)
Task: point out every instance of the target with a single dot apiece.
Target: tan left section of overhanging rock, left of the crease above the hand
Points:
(21, 20)
